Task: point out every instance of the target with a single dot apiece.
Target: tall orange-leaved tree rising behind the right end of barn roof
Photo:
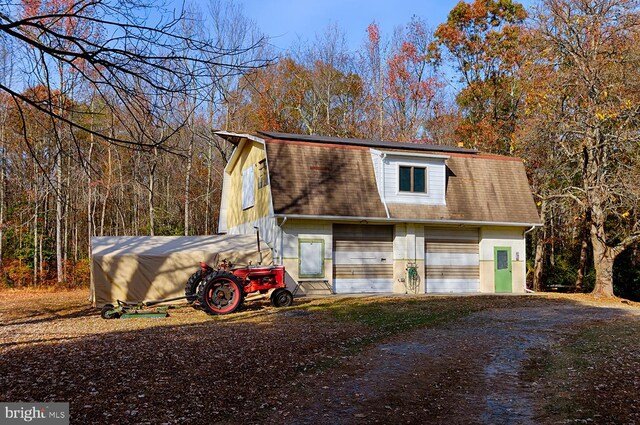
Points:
(483, 39)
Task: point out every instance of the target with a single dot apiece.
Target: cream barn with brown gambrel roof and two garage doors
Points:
(363, 216)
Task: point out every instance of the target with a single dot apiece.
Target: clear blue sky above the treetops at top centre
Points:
(286, 20)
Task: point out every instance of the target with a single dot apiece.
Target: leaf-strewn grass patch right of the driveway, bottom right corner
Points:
(593, 377)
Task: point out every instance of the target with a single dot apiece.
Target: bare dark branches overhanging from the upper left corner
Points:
(117, 48)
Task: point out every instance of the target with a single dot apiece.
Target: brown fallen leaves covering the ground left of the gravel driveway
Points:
(259, 365)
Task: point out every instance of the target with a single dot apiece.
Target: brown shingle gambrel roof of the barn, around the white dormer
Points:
(331, 178)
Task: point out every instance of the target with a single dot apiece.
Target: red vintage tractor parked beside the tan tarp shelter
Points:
(222, 290)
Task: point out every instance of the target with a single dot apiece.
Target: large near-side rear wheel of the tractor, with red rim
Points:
(220, 293)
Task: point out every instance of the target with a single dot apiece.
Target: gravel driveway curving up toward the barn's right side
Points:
(466, 372)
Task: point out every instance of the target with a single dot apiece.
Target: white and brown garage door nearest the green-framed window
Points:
(362, 258)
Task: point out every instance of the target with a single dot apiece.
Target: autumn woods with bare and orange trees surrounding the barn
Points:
(107, 119)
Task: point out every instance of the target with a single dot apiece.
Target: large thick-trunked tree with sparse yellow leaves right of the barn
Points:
(586, 70)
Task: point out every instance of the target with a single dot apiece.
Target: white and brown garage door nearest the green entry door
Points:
(452, 260)
